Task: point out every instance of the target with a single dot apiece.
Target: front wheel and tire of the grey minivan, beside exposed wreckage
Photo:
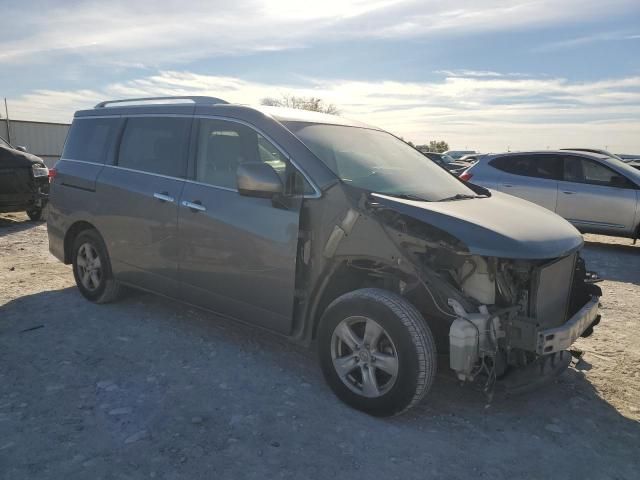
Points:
(376, 351)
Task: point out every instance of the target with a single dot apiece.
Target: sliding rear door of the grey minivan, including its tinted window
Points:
(139, 201)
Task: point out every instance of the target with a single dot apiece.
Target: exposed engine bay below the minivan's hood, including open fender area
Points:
(506, 313)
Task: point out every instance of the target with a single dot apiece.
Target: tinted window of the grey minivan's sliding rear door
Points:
(156, 145)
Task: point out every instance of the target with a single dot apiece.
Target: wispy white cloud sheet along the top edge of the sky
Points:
(143, 33)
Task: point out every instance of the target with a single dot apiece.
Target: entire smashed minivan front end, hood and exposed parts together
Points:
(509, 318)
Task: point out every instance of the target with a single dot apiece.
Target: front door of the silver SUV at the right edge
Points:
(595, 198)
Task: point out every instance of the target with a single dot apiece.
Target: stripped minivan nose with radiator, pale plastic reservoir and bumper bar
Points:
(540, 308)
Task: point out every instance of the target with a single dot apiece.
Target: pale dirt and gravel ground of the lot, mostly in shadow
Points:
(147, 388)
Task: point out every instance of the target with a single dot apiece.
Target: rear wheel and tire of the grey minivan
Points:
(92, 268)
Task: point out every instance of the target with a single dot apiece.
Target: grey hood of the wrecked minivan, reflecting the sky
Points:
(500, 226)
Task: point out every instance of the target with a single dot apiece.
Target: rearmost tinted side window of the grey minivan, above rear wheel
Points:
(90, 139)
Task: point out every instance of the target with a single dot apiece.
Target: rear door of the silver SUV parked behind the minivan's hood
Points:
(532, 177)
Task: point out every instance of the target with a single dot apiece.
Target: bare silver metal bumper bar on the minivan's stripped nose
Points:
(553, 340)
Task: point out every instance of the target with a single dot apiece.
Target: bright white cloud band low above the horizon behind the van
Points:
(489, 113)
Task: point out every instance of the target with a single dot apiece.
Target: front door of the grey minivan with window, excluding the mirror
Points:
(238, 252)
